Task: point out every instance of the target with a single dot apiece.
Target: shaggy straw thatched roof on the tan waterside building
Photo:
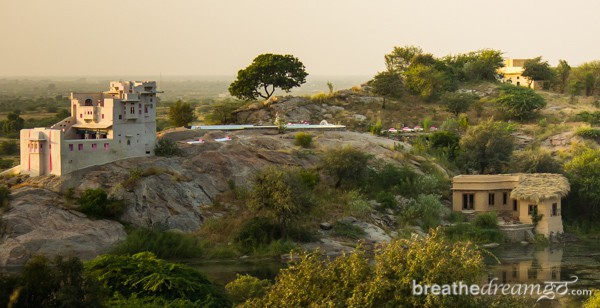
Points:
(536, 187)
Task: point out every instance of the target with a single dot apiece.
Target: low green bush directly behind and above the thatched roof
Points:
(535, 161)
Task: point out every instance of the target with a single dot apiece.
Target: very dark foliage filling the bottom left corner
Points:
(57, 283)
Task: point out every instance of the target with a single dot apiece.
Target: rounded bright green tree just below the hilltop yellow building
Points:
(519, 102)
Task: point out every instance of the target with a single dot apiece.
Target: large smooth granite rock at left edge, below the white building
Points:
(38, 224)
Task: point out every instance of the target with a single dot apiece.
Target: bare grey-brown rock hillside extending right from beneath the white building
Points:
(171, 193)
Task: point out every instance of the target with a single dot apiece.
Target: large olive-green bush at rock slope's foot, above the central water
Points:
(281, 195)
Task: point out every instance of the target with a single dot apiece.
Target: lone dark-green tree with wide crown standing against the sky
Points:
(267, 72)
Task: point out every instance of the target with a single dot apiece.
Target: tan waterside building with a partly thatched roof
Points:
(515, 195)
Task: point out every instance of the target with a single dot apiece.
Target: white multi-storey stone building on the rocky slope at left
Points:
(103, 127)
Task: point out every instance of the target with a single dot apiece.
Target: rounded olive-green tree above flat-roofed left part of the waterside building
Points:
(487, 147)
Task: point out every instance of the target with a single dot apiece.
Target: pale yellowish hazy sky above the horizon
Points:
(331, 37)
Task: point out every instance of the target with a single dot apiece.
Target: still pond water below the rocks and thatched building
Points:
(510, 264)
